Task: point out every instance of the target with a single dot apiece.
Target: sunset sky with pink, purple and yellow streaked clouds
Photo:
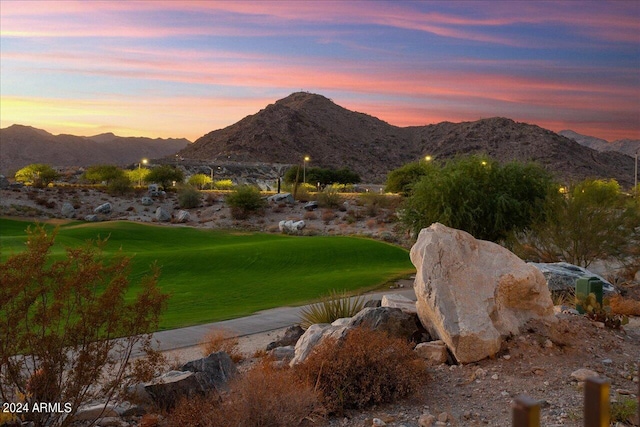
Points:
(185, 68)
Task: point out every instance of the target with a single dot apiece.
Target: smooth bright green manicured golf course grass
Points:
(215, 275)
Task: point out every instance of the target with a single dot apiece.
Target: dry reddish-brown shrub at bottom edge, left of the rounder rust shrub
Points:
(264, 396)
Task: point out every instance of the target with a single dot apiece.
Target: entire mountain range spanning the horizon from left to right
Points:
(305, 124)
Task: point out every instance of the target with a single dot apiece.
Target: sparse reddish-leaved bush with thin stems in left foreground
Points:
(68, 326)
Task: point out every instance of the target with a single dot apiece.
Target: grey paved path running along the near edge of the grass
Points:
(262, 321)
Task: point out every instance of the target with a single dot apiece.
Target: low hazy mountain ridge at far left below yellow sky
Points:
(23, 145)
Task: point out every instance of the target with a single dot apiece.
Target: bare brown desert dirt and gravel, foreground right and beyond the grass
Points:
(537, 363)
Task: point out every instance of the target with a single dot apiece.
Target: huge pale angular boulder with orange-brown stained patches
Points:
(472, 293)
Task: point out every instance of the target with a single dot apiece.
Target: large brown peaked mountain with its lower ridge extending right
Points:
(308, 124)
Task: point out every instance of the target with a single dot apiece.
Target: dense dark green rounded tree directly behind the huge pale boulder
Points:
(478, 195)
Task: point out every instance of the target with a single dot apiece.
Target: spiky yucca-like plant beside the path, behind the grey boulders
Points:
(336, 305)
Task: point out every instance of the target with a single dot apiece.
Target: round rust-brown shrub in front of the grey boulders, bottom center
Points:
(365, 368)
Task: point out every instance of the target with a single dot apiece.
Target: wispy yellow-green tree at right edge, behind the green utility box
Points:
(592, 220)
